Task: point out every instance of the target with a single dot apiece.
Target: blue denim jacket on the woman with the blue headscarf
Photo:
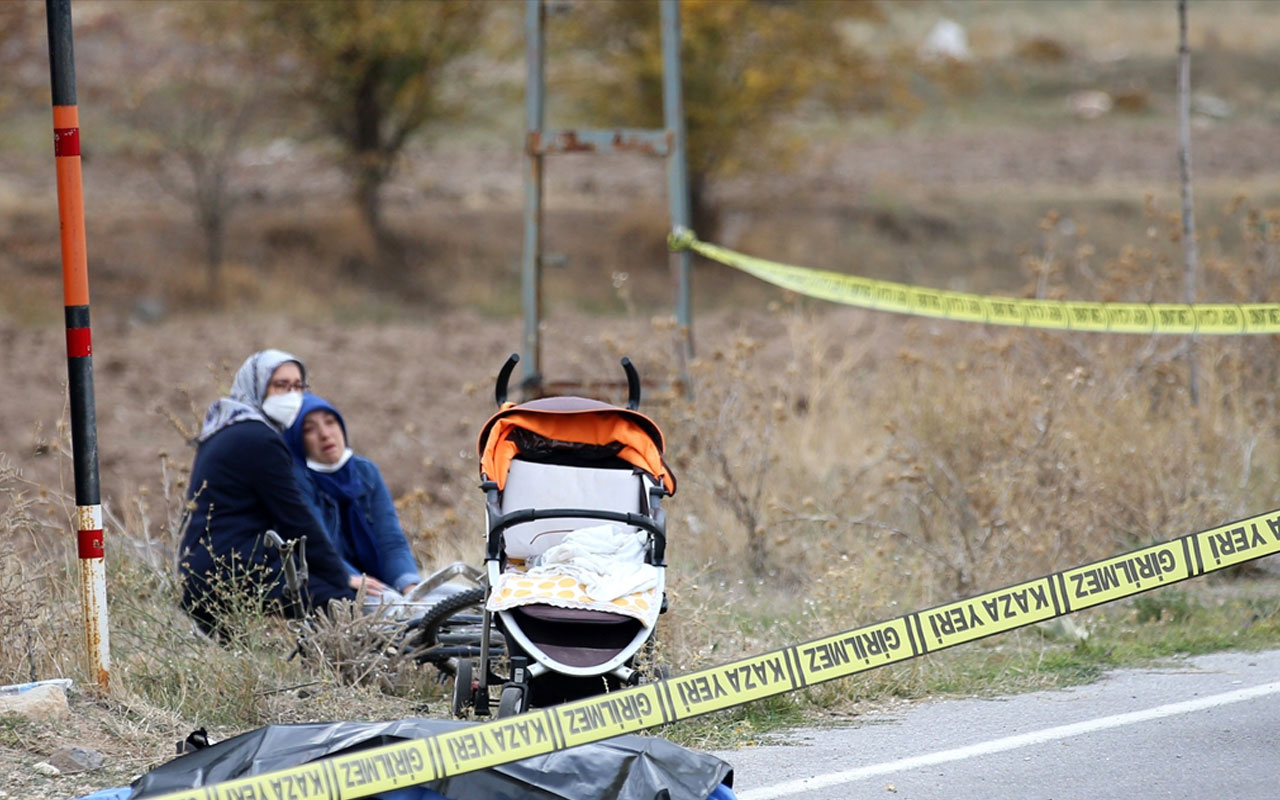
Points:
(396, 565)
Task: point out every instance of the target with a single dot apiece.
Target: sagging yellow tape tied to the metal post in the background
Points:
(962, 307)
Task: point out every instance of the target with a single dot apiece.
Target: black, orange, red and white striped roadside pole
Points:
(80, 345)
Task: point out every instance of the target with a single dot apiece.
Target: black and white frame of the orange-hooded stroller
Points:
(502, 633)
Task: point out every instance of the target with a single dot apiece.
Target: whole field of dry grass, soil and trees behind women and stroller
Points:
(344, 180)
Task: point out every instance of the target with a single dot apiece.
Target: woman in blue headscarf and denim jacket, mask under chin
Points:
(348, 493)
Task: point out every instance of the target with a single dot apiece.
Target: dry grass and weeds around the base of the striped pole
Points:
(167, 679)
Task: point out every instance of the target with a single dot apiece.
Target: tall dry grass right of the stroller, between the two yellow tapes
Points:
(932, 467)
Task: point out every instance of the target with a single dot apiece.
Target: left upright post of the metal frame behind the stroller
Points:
(532, 260)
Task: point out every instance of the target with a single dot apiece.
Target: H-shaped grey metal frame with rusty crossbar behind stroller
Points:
(668, 143)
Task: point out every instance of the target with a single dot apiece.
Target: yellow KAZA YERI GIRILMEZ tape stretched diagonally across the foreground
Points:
(537, 733)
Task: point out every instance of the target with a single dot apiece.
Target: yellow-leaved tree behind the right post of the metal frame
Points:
(747, 66)
